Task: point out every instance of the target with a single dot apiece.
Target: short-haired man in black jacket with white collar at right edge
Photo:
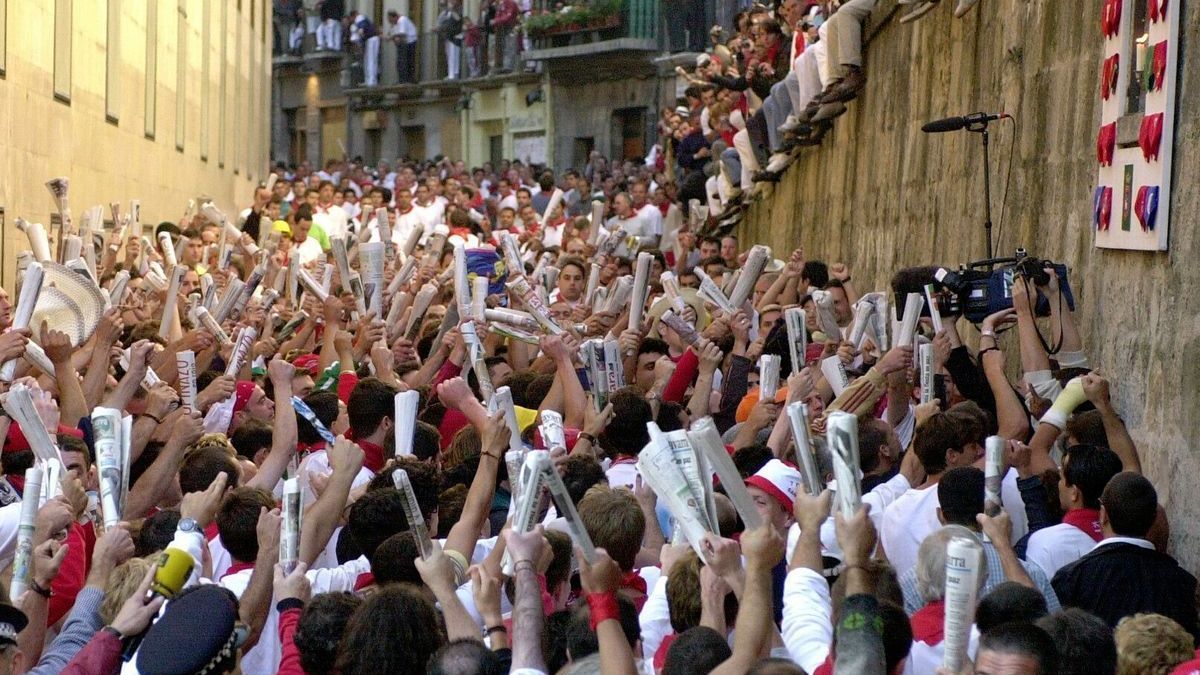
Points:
(1124, 575)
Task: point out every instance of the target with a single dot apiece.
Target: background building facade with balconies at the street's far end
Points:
(578, 83)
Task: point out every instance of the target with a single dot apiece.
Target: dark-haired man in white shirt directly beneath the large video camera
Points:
(947, 440)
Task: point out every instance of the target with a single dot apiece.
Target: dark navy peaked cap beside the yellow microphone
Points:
(196, 634)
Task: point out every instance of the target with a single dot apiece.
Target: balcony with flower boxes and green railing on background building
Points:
(590, 29)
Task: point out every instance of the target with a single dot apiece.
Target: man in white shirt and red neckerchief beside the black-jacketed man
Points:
(1085, 471)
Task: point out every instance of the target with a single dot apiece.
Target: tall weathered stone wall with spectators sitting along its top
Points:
(881, 195)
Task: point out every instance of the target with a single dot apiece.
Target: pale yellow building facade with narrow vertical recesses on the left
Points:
(152, 100)
